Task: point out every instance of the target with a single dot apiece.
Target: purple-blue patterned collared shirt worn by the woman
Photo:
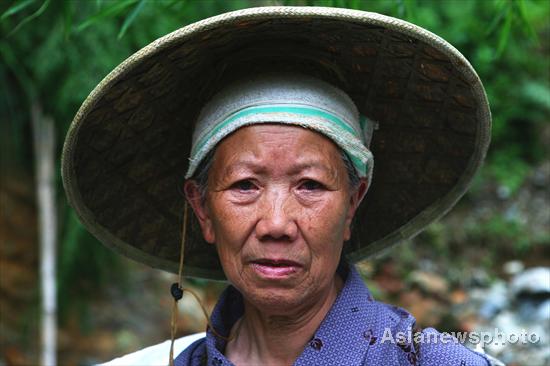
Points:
(356, 331)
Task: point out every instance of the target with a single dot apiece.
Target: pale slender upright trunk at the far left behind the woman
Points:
(44, 150)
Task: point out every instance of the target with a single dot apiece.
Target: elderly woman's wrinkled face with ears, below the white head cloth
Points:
(278, 209)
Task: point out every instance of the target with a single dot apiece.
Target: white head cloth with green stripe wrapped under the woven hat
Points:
(285, 98)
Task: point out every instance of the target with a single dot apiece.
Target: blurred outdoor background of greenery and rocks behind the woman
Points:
(485, 265)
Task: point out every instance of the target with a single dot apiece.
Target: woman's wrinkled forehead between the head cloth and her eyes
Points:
(278, 150)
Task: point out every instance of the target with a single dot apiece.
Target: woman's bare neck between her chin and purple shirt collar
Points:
(268, 339)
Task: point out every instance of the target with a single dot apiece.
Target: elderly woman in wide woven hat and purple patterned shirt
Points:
(277, 167)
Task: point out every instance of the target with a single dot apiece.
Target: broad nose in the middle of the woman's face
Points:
(276, 218)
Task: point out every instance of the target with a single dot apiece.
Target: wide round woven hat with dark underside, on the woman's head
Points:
(126, 151)
